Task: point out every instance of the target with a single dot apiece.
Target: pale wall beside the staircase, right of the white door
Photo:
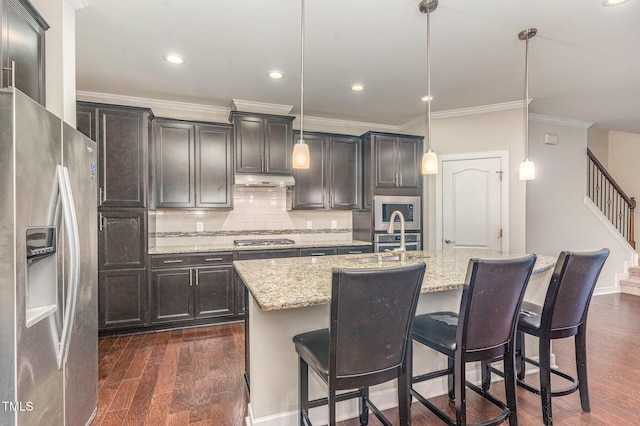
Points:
(557, 216)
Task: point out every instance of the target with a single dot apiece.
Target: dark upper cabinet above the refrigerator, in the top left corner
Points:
(22, 51)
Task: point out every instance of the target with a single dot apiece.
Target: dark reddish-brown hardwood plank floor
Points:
(194, 376)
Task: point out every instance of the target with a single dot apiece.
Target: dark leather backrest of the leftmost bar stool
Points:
(372, 314)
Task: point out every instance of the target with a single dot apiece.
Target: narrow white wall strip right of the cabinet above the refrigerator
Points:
(60, 64)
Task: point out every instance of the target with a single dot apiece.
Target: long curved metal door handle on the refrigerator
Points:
(73, 249)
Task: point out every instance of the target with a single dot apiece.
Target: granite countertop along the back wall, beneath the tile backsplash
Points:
(206, 248)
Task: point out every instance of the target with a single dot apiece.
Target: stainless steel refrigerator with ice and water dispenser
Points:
(48, 268)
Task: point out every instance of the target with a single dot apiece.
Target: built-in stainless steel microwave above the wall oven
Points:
(384, 206)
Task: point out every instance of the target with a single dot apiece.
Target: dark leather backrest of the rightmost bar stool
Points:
(570, 290)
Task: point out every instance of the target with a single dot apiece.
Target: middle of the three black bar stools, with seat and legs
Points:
(484, 329)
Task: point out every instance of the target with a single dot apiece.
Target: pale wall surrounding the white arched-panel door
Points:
(488, 131)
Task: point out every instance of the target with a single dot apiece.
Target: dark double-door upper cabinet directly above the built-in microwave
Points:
(391, 165)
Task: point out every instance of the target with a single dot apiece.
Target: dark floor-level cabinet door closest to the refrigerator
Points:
(123, 296)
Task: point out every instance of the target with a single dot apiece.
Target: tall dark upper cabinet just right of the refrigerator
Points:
(122, 134)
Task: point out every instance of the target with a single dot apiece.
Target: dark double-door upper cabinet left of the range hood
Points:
(192, 165)
